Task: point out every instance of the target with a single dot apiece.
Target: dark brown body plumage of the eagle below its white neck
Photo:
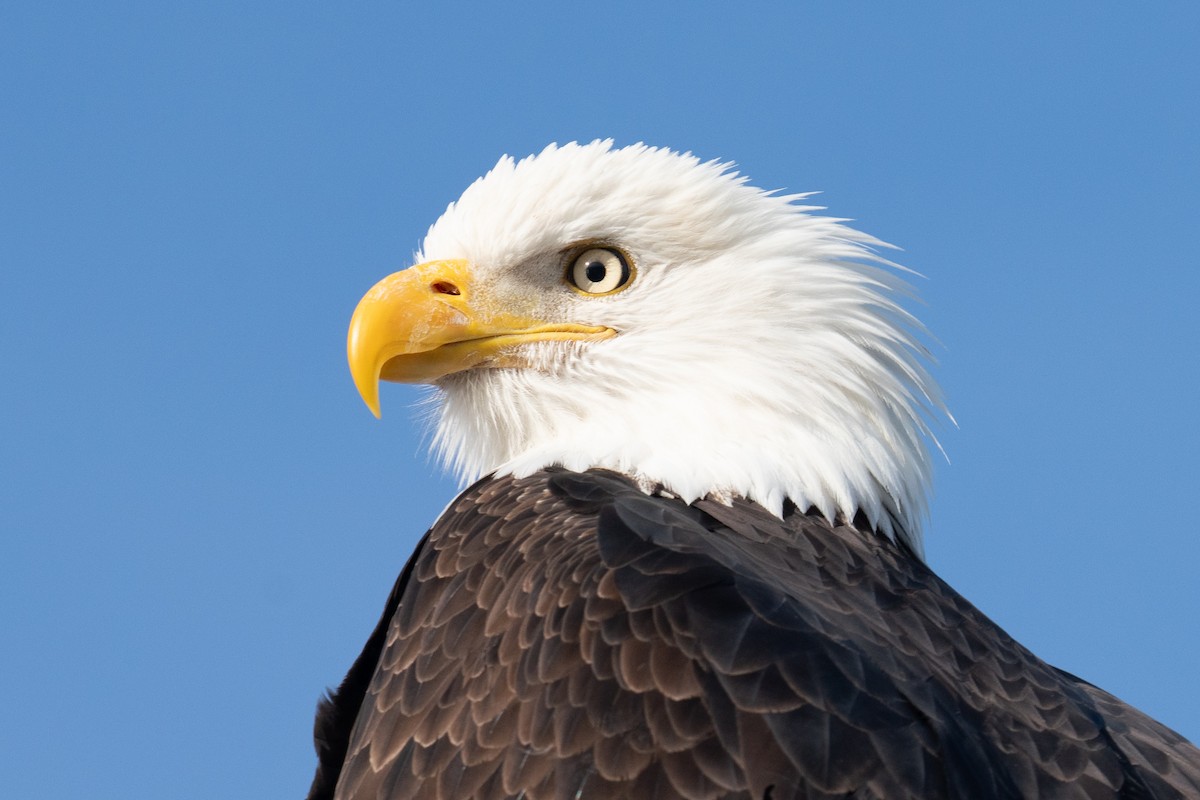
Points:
(567, 636)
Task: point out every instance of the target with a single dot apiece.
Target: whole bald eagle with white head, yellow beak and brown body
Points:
(698, 417)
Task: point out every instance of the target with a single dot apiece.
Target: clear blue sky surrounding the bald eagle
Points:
(200, 521)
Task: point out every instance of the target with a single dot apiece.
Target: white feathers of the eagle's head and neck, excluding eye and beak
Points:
(761, 350)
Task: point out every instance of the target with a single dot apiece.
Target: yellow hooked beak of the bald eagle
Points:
(427, 322)
